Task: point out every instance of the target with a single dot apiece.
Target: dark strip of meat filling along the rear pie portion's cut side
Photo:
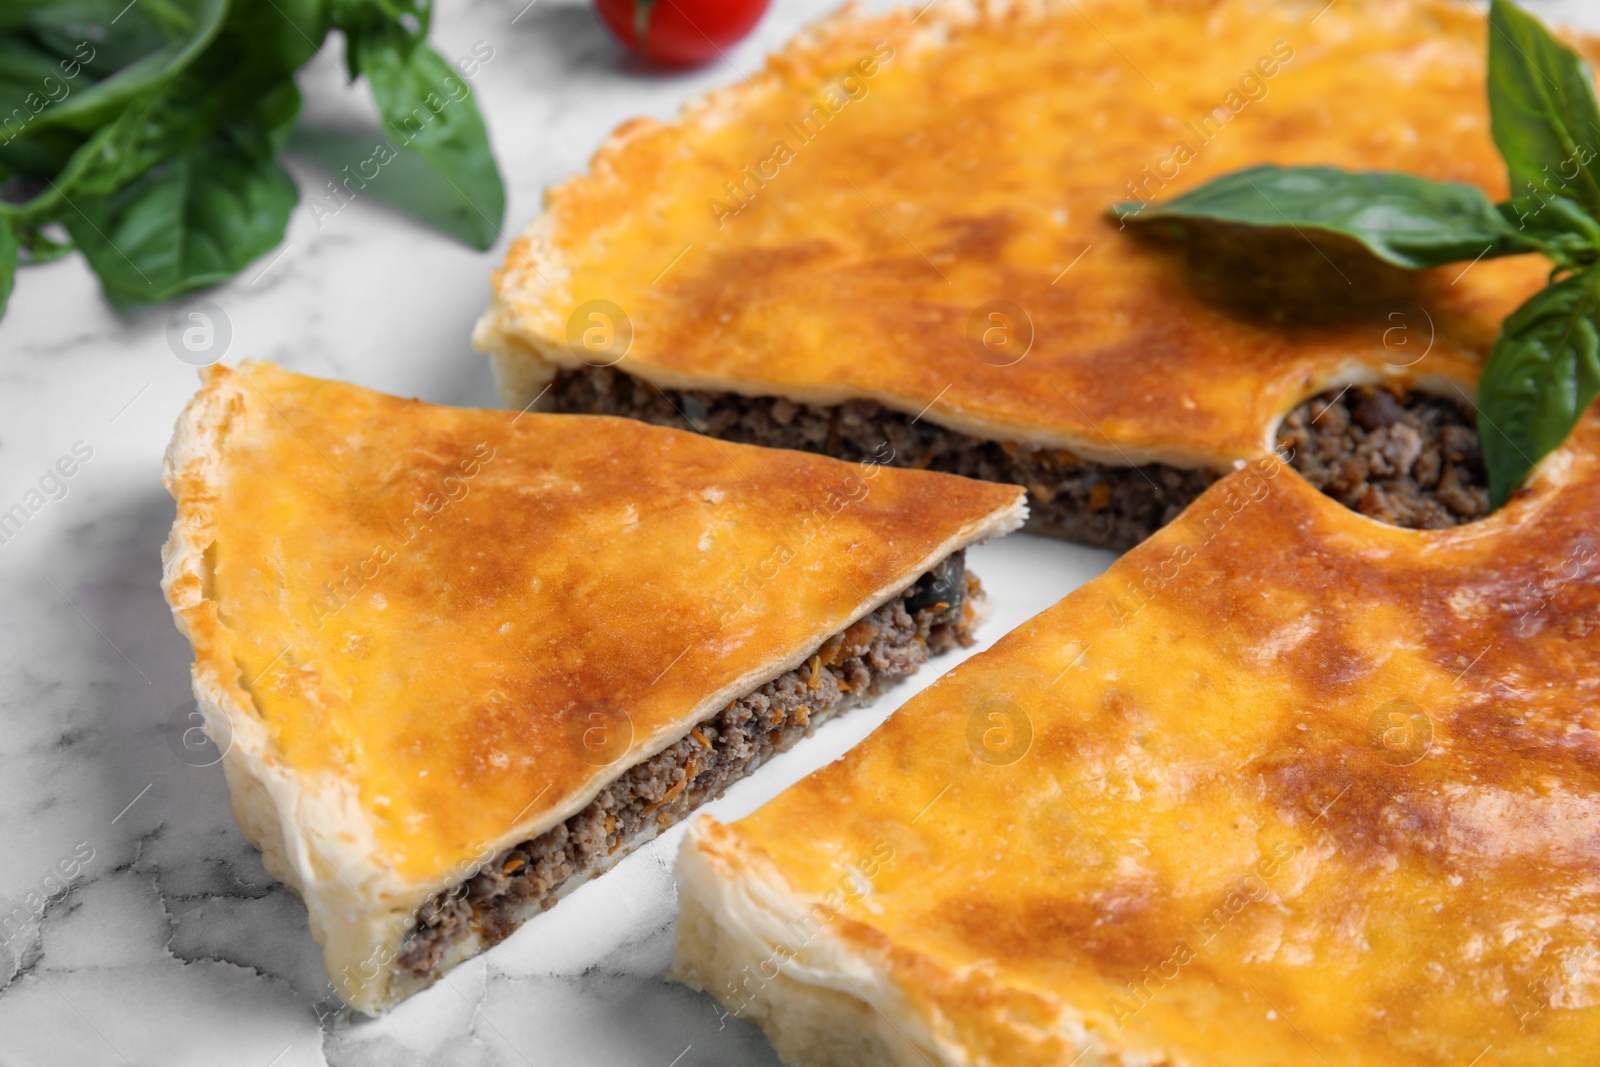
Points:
(1070, 498)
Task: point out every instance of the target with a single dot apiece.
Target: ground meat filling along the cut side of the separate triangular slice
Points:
(892, 642)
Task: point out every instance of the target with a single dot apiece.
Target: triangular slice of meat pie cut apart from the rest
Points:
(463, 661)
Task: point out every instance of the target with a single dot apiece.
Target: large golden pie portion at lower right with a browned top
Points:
(1284, 786)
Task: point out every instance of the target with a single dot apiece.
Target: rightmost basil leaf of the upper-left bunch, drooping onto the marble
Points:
(428, 108)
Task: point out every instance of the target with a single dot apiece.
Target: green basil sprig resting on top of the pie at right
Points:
(1545, 367)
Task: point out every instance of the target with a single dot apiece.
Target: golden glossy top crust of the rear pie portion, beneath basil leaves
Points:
(977, 164)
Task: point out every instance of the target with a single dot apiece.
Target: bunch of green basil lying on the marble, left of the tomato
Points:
(151, 134)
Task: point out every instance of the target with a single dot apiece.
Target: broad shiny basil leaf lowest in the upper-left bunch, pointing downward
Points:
(193, 222)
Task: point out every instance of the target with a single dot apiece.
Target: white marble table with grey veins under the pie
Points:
(140, 925)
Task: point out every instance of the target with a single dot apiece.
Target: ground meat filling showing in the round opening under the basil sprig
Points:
(1409, 460)
